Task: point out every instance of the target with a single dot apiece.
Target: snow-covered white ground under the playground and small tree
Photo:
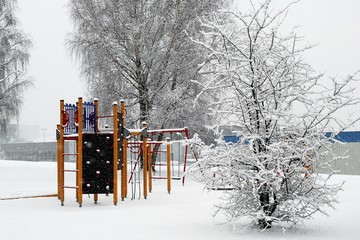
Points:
(184, 214)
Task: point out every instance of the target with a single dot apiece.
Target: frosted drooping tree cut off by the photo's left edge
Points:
(14, 56)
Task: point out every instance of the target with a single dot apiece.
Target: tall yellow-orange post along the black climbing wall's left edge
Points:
(79, 152)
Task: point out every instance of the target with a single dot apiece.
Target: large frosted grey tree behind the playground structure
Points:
(140, 51)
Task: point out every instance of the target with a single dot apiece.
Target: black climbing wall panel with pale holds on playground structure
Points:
(97, 163)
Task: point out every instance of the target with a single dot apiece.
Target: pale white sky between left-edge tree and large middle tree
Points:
(56, 75)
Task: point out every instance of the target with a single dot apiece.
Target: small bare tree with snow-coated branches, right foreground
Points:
(280, 109)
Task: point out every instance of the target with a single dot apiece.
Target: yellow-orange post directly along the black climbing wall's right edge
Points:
(115, 150)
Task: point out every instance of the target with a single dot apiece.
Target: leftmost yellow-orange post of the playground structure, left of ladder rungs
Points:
(61, 155)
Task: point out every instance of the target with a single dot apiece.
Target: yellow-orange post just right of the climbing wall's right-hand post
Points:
(124, 153)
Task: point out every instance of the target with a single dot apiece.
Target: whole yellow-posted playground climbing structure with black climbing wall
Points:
(101, 153)
